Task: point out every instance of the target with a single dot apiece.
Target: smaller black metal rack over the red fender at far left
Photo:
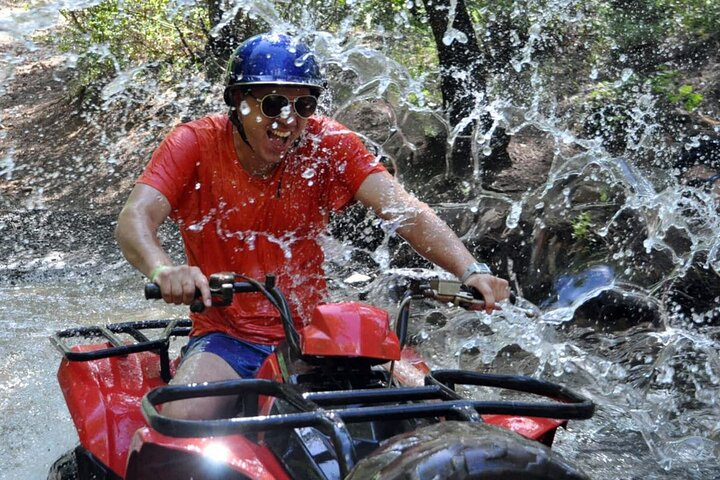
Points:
(118, 346)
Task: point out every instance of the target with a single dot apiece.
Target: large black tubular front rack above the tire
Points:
(329, 411)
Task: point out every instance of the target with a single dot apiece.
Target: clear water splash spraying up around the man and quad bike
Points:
(659, 385)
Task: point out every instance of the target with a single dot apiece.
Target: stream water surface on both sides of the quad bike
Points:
(653, 427)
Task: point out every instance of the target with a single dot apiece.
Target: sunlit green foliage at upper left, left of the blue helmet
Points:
(114, 35)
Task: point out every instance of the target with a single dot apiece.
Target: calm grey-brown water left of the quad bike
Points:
(36, 427)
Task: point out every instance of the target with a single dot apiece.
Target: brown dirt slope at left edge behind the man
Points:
(59, 196)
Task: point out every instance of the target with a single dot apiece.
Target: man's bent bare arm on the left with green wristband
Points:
(136, 233)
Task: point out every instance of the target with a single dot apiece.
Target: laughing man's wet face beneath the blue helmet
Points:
(270, 138)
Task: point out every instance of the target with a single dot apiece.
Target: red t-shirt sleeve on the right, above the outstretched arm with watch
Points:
(352, 163)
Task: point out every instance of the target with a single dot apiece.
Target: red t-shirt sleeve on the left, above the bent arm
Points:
(172, 168)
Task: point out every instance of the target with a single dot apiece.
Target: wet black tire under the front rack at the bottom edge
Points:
(462, 451)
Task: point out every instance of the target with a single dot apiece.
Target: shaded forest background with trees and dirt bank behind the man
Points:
(421, 81)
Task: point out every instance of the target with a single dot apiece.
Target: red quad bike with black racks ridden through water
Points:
(343, 397)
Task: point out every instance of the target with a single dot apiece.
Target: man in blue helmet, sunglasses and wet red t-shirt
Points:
(251, 192)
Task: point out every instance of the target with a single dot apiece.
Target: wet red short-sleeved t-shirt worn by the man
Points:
(232, 221)
